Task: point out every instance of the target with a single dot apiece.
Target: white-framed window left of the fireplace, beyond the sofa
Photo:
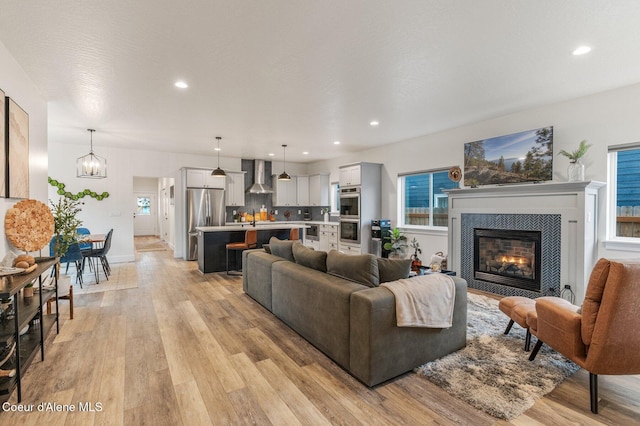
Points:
(423, 201)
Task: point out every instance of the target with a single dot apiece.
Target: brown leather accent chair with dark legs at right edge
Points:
(602, 337)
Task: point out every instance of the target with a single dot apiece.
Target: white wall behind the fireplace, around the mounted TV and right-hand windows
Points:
(603, 119)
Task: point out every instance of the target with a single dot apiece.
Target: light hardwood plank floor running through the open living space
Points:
(188, 349)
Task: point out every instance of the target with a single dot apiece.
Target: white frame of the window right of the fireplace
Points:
(612, 241)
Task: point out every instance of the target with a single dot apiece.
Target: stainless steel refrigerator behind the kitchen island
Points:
(205, 207)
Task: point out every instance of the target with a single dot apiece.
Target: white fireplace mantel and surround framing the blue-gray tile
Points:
(575, 202)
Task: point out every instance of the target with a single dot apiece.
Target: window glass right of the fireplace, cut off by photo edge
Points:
(624, 203)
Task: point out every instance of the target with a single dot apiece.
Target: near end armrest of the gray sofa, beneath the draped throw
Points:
(380, 350)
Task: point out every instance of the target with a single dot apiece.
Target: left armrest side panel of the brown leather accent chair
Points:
(559, 326)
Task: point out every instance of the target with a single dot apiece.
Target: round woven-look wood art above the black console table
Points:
(29, 225)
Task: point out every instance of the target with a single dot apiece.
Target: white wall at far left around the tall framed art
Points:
(17, 85)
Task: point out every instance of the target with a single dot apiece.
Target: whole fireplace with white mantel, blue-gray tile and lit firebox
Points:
(528, 240)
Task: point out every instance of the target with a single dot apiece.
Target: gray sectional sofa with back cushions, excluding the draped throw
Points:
(353, 323)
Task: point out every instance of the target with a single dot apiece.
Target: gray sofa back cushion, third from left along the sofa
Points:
(361, 268)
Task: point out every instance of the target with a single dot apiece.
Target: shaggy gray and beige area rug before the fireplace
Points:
(493, 373)
